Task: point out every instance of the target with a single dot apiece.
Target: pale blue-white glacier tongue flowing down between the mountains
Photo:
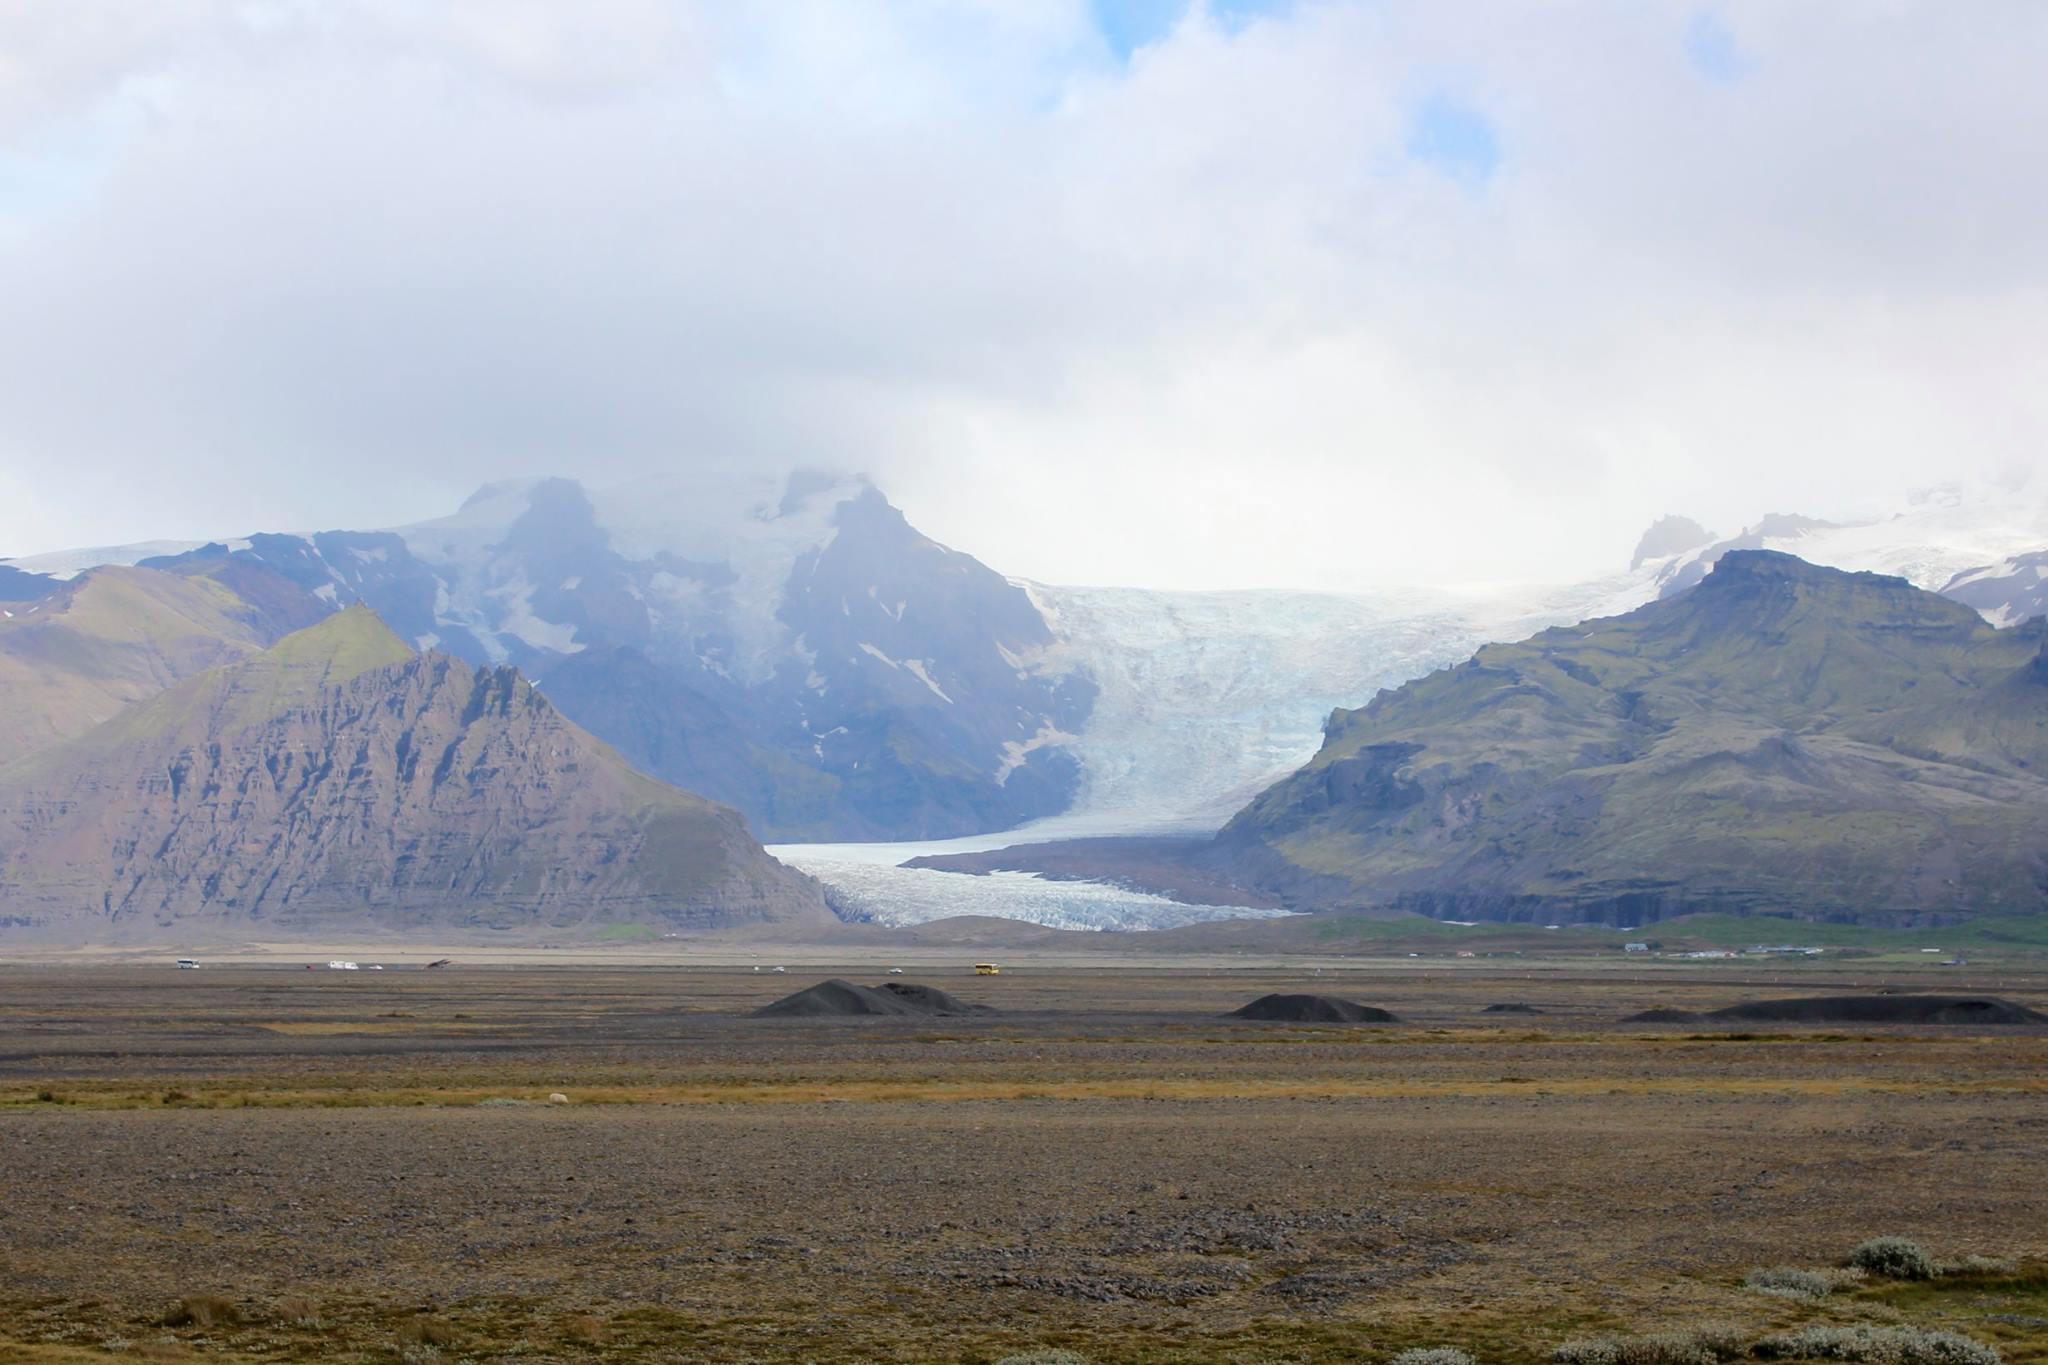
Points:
(1205, 699)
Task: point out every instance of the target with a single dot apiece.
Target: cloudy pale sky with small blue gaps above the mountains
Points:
(1248, 294)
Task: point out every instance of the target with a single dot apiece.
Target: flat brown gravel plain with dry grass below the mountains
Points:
(263, 1163)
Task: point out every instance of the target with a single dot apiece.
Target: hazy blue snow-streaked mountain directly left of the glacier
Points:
(790, 648)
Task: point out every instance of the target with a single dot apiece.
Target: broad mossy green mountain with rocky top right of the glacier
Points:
(1785, 740)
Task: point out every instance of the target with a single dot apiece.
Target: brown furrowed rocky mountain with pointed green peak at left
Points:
(341, 781)
